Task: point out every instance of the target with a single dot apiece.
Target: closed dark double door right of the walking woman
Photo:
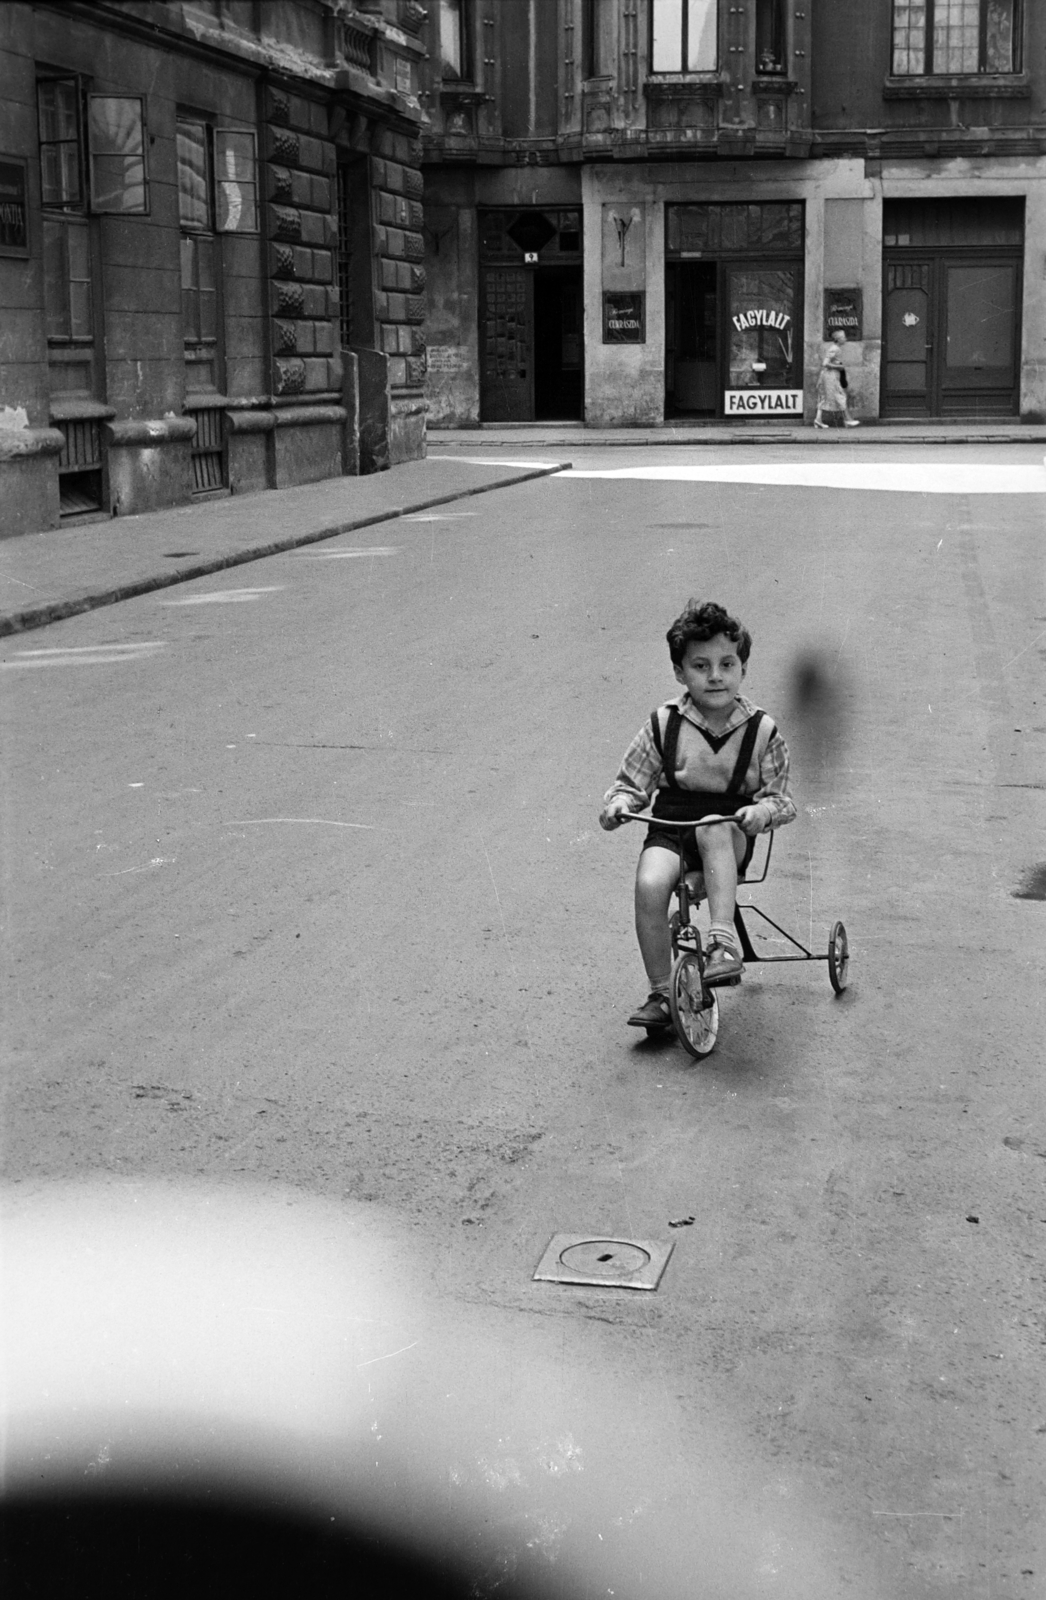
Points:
(951, 334)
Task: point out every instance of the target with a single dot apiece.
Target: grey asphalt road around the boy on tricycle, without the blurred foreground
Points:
(305, 887)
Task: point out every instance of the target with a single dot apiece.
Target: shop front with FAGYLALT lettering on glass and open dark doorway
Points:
(735, 310)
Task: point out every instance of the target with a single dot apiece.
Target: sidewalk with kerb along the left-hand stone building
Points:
(47, 577)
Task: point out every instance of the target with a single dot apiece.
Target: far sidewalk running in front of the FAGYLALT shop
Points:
(575, 436)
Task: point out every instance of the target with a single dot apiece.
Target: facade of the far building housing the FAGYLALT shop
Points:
(644, 212)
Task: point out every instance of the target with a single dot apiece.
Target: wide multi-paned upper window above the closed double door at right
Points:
(936, 38)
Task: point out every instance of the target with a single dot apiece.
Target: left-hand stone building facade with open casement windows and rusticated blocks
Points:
(212, 271)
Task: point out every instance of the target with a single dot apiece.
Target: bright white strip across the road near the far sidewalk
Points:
(911, 478)
